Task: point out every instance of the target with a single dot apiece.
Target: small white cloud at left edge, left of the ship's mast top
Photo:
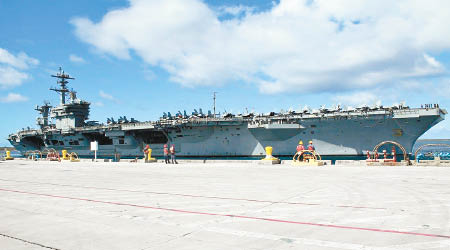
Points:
(11, 68)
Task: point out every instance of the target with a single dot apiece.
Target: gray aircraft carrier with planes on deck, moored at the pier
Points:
(336, 131)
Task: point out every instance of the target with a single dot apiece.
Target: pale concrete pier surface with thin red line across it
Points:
(93, 205)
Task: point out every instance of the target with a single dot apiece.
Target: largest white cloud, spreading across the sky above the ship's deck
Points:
(295, 46)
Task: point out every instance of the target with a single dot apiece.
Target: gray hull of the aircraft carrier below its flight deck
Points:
(334, 136)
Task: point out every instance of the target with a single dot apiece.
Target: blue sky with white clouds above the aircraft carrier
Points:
(141, 58)
